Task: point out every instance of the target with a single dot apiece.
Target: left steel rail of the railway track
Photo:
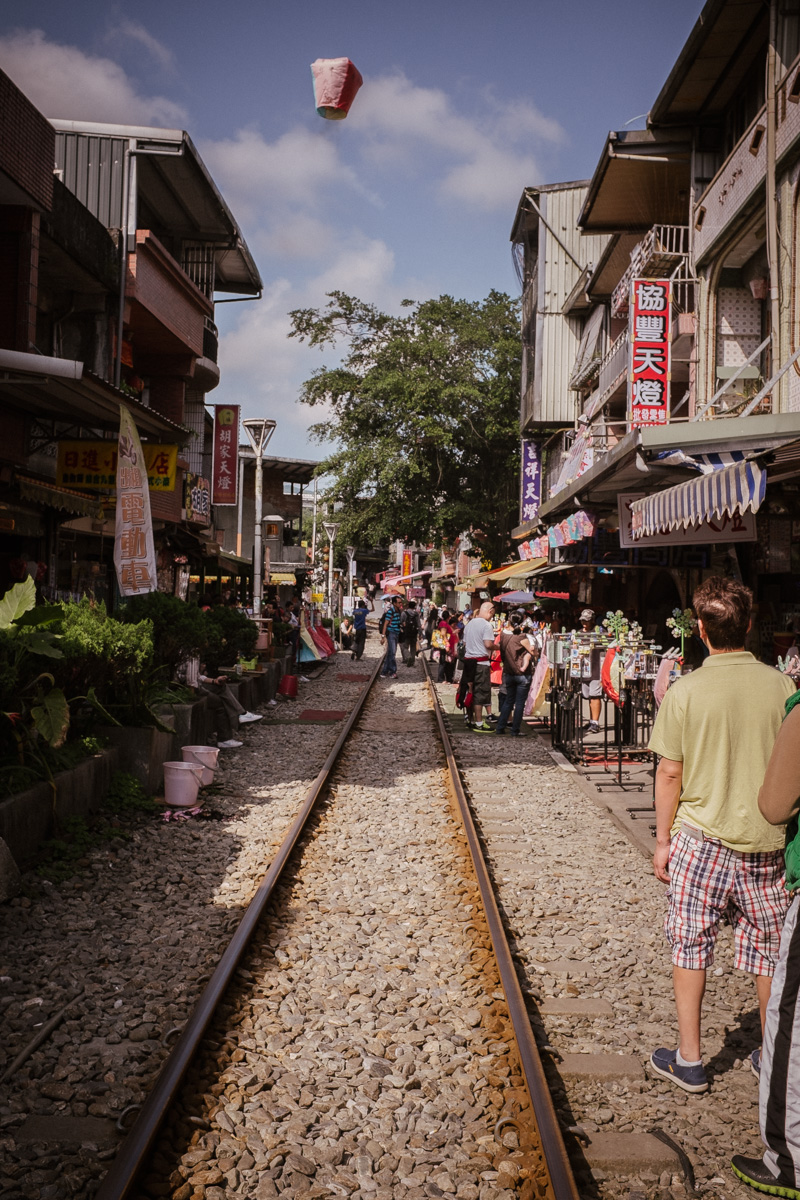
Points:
(119, 1180)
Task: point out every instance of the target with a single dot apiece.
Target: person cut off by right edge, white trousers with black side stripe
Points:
(779, 1172)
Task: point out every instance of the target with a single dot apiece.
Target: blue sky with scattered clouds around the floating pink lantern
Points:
(464, 105)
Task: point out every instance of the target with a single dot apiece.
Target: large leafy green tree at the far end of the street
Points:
(425, 412)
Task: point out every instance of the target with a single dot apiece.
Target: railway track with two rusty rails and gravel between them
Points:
(364, 1031)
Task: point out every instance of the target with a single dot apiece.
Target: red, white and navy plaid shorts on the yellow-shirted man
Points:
(707, 879)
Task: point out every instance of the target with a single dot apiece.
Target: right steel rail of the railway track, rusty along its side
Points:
(550, 1132)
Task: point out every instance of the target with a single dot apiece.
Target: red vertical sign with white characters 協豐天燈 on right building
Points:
(651, 338)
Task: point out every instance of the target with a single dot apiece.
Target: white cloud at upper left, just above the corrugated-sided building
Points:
(65, 82)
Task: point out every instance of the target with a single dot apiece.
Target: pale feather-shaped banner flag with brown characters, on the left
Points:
(135, 556)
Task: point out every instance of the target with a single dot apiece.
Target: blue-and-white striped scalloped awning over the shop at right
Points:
(731, 490)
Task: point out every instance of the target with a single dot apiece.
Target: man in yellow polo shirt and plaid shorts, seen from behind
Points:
(714, 734)
